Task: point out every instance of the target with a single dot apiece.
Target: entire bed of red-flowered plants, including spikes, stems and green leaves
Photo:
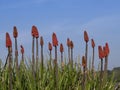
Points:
(36, 75)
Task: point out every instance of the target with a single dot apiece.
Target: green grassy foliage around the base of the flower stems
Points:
(68, 78)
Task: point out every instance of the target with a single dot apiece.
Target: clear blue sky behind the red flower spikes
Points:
(68, 18)
